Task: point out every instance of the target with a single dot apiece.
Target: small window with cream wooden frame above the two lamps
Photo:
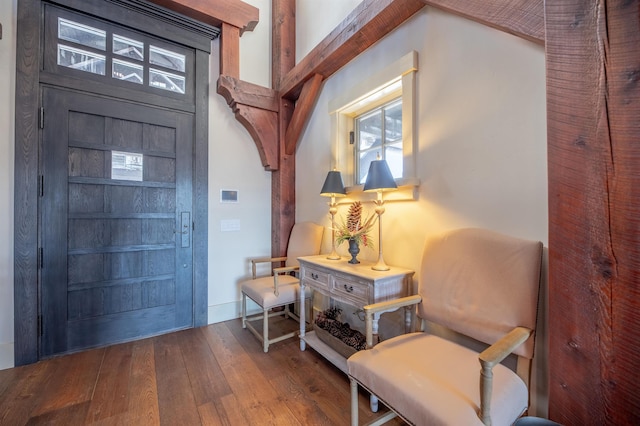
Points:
(377, 118)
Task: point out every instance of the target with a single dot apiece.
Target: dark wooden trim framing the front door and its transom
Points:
(26, 169)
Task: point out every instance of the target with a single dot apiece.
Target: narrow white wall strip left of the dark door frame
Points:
(8, 10)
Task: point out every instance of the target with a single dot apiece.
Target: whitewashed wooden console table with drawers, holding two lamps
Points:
(356, 285)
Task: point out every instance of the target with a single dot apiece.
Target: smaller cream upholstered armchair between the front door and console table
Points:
(282, 287)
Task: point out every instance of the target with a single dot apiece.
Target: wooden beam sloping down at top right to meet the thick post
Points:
(522, 18)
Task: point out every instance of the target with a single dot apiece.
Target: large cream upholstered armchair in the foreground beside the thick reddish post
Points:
(478, 283)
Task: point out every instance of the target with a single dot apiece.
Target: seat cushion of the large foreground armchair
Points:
(432, 381)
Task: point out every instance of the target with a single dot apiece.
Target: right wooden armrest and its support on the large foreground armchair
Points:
(489, 358)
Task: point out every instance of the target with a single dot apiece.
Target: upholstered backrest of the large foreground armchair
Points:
(481, 284)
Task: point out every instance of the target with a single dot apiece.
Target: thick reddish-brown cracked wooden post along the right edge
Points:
(593, 105)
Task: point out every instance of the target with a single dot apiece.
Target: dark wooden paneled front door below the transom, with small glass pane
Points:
(116, 189)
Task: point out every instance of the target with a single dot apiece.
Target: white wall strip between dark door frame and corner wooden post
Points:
(234, 163)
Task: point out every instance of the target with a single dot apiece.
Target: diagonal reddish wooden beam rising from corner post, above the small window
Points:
(367, 23)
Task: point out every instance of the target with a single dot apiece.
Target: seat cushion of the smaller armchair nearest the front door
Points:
(260, 291)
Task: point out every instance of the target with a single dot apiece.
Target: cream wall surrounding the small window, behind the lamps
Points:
(481, 114)
